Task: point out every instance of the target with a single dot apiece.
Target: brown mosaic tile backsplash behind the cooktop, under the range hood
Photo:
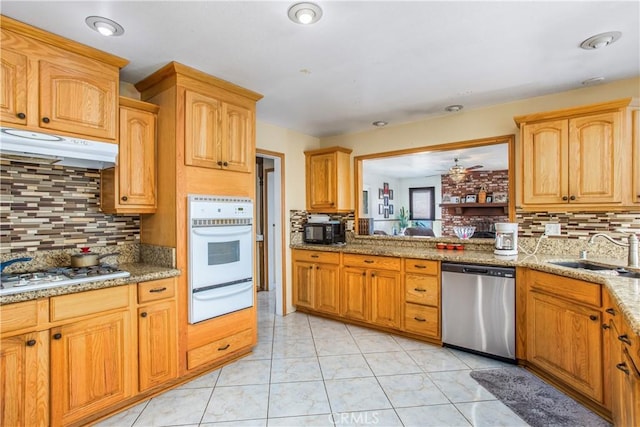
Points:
(46, 207)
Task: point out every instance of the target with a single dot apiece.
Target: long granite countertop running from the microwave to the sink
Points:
(625, 291)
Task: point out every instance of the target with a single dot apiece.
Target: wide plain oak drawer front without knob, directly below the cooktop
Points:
(89, 302)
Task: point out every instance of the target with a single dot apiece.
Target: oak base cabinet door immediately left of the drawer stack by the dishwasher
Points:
(385, 298)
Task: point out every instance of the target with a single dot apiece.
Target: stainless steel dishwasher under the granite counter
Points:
(478, 309)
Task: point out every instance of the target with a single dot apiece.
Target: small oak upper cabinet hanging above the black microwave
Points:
(328, 179)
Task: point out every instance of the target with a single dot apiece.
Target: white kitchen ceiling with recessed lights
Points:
(364, 60)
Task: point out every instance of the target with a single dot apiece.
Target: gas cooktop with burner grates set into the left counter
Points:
(56, 277)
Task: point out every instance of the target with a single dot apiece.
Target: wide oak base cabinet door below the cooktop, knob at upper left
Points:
(91, 366)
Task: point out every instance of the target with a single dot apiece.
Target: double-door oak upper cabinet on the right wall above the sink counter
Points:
(576, 158)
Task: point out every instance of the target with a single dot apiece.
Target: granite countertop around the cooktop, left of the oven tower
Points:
(140, 272)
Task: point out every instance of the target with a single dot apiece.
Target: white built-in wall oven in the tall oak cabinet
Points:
(220, 241)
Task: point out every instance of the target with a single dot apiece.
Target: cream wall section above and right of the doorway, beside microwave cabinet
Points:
(292, 144)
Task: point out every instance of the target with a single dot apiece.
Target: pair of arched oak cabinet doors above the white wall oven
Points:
(218, 134)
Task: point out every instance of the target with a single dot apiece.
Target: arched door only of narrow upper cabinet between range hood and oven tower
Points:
(137, 158)
